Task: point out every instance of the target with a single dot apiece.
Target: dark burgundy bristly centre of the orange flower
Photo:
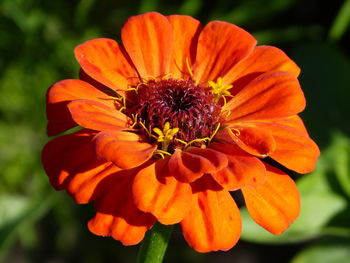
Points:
(188, 107)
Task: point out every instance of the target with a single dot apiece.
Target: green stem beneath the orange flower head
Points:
(155, 243)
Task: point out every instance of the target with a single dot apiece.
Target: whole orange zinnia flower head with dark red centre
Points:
(173, 119)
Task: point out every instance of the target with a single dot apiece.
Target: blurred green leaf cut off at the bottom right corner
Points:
(326, 252)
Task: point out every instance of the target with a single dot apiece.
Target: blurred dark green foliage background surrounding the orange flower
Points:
(37, 38)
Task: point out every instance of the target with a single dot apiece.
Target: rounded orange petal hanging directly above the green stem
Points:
(161, 195)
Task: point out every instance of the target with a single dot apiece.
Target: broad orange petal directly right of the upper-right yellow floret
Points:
(272, 95)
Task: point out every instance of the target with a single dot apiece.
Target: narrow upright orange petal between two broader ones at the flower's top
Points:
(185, 34)
